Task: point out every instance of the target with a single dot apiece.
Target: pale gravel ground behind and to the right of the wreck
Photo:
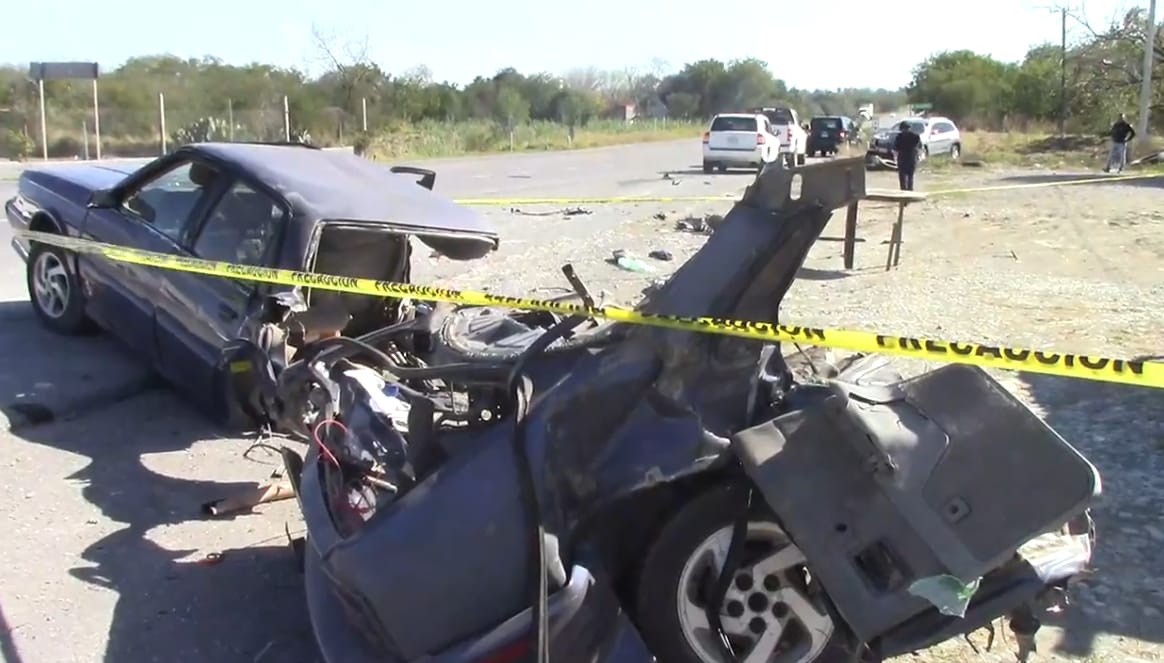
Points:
(1075, 268)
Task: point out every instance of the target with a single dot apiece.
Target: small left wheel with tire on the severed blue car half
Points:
(55, 291)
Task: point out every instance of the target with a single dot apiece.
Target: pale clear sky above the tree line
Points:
(811, 44)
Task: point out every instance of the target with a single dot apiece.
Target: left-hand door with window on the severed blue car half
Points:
(155, 206)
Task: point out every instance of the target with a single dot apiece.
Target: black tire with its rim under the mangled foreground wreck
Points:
(672, 581)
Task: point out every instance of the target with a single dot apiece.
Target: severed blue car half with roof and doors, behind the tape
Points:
(272, 205)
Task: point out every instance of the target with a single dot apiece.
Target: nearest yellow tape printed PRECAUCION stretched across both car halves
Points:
(1095, 368)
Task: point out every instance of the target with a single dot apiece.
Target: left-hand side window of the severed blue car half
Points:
(168, 201)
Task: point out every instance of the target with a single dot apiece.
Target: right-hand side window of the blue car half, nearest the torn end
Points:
(242, 229)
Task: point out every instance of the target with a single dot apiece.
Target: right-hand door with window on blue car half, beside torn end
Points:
(200, 315)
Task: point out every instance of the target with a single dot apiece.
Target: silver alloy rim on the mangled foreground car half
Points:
(772, 612)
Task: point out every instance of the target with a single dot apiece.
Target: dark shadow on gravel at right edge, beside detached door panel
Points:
(1122, 430)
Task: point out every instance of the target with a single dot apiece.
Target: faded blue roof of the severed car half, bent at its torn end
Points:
(338, 186)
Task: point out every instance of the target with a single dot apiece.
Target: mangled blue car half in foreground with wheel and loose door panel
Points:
(494, 487)
